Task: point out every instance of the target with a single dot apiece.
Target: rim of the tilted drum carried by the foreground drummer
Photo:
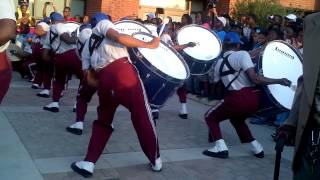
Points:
(158, 72)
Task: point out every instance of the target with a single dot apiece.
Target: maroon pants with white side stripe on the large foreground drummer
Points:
(115, 89)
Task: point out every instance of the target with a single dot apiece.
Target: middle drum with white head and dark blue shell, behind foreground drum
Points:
(201, 57)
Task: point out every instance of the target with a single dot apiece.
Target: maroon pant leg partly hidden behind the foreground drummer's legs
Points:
(85, 93)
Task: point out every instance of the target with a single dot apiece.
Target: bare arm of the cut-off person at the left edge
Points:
(7, 30)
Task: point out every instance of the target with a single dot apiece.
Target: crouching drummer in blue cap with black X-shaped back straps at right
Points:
(236, 70)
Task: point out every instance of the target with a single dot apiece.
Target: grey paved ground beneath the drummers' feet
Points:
(34, 144)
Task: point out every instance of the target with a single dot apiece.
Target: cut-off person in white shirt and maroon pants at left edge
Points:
(7, 32)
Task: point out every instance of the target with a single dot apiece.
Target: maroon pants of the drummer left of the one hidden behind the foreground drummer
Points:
(65, 64)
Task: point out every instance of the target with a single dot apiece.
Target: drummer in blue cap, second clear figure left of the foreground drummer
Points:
(65, 59)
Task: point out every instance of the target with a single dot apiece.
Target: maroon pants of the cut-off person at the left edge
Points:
(5, 74)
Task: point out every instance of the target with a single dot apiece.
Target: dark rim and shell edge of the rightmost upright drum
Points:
(266, 88)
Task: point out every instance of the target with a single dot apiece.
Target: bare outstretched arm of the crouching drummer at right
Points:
(261, 80)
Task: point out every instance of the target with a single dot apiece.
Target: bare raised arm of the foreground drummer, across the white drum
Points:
(130, 41)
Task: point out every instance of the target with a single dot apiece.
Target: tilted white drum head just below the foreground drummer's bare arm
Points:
(163, 58)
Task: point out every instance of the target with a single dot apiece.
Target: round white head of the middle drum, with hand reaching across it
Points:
(208, 44)
